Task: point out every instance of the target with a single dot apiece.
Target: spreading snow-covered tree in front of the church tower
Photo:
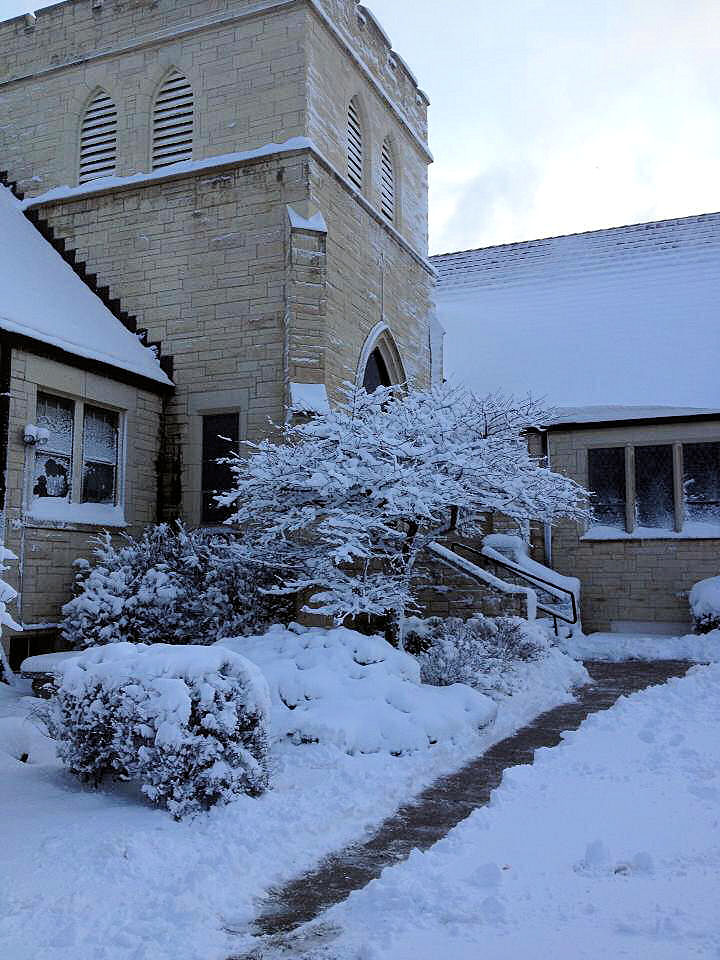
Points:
(345, 503)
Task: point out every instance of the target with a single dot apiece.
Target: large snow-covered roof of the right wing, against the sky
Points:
(623, 317)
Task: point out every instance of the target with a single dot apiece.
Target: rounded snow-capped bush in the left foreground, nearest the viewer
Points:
(188, 724)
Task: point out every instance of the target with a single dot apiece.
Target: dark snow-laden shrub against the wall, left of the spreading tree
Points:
(169, 585)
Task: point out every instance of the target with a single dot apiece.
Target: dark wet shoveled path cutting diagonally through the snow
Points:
(447, 801)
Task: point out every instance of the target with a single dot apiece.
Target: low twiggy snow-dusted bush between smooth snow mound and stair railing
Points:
(481, 652)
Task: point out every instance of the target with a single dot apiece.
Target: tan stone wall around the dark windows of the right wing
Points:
(630, 579)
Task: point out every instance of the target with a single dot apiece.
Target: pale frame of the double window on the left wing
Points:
(75, 497)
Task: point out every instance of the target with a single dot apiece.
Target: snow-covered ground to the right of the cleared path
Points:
(607, 847)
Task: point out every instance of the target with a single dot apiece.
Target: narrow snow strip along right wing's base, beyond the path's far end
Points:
(698, 648)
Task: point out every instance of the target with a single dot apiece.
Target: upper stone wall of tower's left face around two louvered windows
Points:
(248, 79)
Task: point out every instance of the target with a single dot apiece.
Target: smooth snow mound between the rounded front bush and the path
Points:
(358, 693)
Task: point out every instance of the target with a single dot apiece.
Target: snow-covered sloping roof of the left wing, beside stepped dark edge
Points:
(41, 297)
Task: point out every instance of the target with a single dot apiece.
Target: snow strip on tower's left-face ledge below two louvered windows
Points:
(175, 169)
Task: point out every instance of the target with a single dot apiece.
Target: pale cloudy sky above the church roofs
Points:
(551, 116)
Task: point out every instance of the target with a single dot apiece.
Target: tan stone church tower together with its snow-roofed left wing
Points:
(213, 215)
